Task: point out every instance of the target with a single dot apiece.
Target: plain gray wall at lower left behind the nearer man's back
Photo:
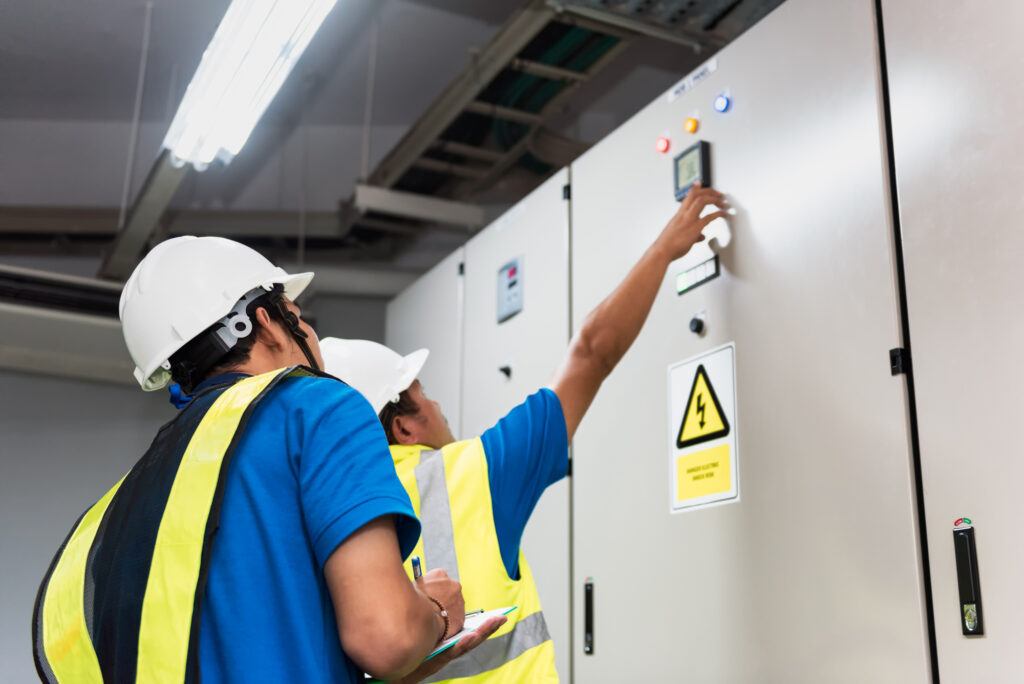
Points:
(63, 445)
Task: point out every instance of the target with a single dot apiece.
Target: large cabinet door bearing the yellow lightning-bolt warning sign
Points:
(814, 573)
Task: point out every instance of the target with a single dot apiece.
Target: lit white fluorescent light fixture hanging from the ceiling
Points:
(253, 52)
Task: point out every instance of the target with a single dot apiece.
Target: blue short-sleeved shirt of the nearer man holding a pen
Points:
(312, 467)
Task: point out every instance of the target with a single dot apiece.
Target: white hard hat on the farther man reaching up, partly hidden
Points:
(371, 369)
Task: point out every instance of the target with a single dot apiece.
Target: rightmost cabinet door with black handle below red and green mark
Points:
(958, 110)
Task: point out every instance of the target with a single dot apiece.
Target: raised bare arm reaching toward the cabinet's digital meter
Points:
(610, 330)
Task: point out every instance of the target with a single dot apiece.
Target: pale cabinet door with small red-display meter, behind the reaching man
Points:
(524, 256)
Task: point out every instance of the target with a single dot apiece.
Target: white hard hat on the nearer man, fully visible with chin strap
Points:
(184, 286)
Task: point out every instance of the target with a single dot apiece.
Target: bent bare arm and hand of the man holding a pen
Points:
(387, 623)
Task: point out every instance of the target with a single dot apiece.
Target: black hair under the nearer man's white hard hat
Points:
(206, 353)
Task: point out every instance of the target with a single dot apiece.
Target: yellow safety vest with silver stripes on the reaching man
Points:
(451, 495)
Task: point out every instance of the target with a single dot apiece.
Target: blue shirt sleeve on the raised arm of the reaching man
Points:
(527, 452)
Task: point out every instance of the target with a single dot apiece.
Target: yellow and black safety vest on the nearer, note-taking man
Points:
(121, 602)
